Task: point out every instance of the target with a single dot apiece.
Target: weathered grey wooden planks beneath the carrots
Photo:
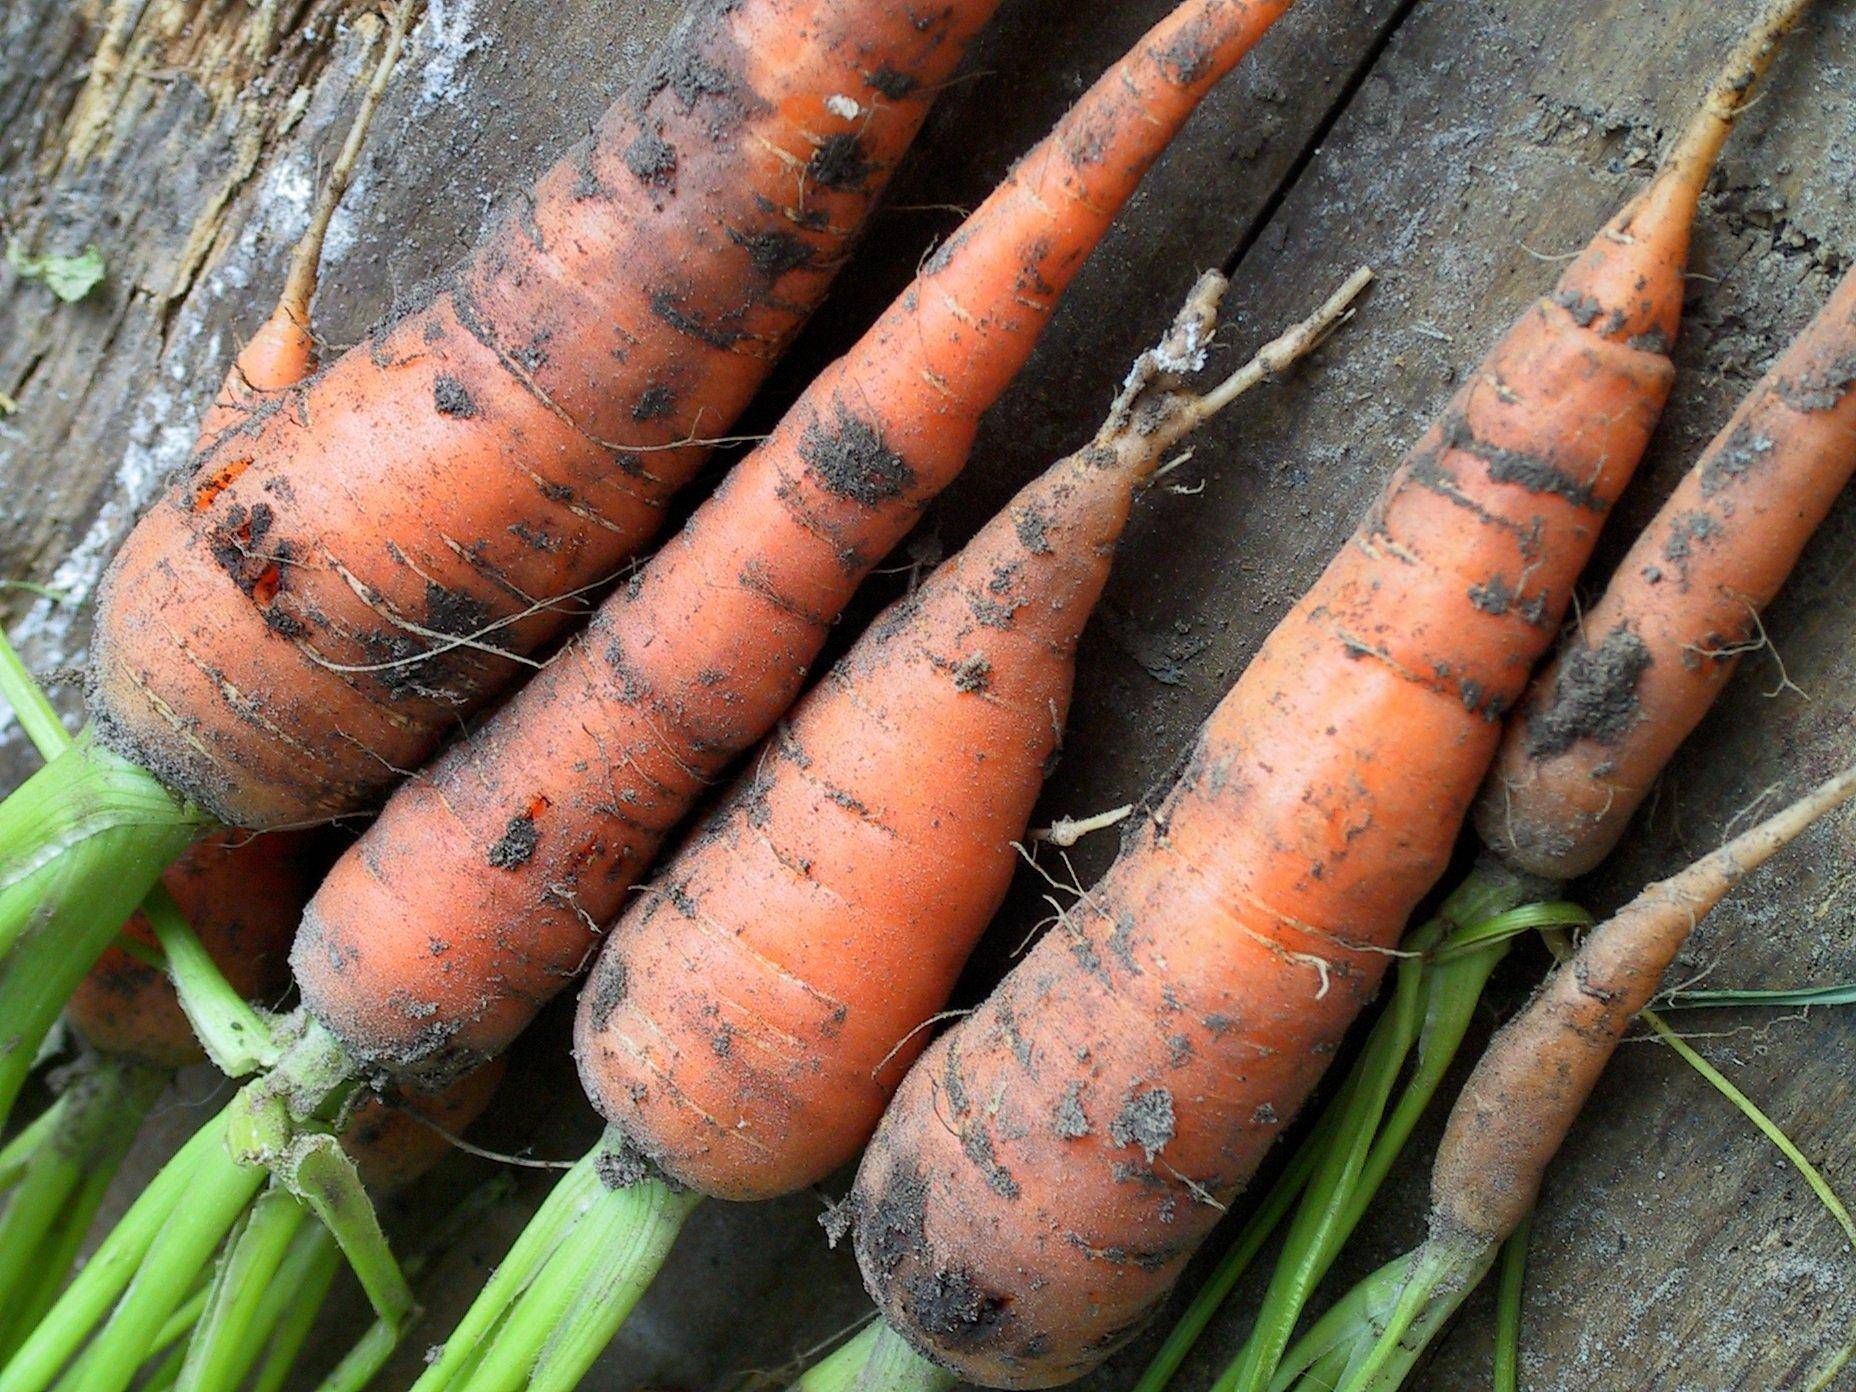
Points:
(1462, 148)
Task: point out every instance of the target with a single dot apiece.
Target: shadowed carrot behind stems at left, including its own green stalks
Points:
(244, 897)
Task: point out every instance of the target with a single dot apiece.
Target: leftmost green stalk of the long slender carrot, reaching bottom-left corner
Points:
(110, 1270)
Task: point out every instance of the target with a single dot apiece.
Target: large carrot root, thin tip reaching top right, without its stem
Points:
(1053, 1161)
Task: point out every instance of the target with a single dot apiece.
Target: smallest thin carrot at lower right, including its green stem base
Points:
(1528, 1090)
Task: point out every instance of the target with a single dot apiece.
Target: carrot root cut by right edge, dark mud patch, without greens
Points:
(1649, 662)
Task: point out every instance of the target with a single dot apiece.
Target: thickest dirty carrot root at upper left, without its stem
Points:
(367, 556)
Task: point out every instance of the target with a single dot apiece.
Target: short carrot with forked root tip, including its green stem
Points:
(754, 1009)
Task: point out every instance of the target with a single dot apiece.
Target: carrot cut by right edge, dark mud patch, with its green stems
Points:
(1592, 736)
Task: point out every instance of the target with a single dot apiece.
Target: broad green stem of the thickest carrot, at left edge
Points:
(83, 842)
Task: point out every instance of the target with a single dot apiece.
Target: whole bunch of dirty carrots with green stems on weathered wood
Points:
(363, 556)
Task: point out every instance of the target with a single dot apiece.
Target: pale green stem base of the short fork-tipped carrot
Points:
(580, 1300)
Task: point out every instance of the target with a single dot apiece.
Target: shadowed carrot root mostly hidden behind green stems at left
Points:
(244, 897)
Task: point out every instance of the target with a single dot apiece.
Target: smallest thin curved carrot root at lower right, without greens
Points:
(1538, 1072)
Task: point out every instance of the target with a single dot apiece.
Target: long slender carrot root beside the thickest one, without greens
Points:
(482, 890)
